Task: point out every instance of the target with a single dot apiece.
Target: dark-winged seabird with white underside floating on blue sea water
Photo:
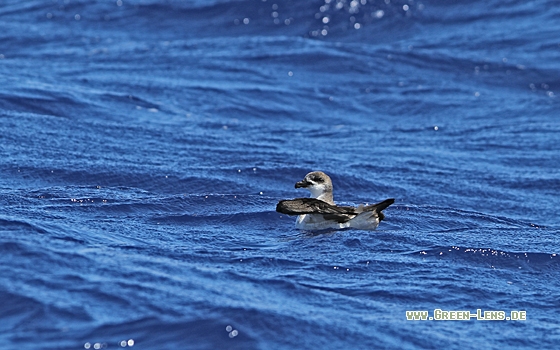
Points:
(320, 212)
